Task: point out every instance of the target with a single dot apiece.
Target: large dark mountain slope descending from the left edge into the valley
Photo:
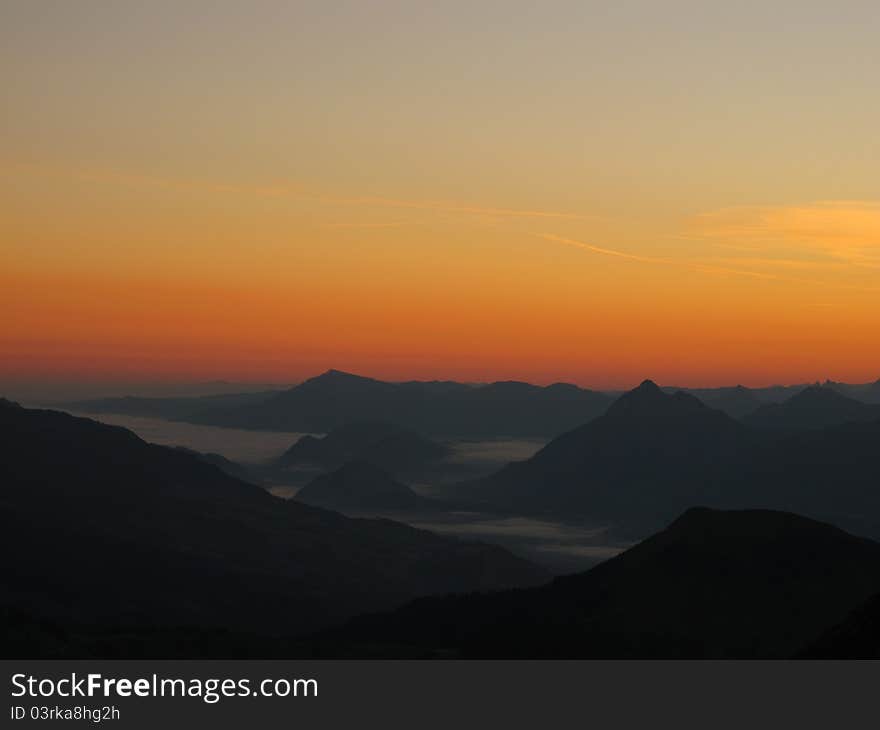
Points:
(103, 529)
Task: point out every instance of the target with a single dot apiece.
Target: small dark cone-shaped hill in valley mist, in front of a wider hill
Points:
(360, 487)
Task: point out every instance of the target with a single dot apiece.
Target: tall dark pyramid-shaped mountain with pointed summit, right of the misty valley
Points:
(651, 455)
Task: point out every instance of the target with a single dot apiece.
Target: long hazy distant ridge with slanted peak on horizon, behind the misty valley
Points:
(336, 399)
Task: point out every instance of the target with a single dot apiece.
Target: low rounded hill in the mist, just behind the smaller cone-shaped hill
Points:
(383, 444)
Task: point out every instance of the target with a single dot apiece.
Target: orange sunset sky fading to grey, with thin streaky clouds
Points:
(557, 191)
